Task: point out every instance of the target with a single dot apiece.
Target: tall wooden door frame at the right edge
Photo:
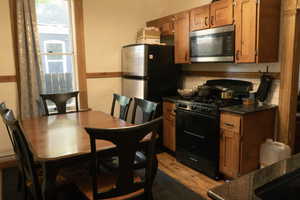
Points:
(290, 46)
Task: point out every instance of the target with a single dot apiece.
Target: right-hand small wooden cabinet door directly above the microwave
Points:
(221, 13)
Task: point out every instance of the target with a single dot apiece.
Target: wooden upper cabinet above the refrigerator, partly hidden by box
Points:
(165, 25)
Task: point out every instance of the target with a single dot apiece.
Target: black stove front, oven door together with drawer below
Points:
(197, 141)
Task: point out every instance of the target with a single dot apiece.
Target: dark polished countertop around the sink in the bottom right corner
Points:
(244, 187)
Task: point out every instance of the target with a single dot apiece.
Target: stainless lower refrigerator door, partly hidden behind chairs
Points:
(134, 88)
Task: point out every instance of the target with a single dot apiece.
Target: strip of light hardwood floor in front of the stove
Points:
(192, 179)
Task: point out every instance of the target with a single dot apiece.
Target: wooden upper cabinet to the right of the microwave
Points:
(257, 30)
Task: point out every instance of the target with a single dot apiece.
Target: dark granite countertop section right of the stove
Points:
(245, 109)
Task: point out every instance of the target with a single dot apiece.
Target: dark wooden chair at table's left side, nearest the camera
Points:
(25, 158)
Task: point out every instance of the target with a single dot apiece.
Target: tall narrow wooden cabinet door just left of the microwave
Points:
(181, 36)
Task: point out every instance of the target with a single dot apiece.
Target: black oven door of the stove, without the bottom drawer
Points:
(197, 134)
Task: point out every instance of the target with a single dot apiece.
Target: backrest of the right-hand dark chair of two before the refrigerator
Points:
(148, 110)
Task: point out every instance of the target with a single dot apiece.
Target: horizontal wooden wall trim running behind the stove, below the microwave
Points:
(254, 75)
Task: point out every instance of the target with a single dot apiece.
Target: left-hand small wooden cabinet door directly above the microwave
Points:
(200, 18)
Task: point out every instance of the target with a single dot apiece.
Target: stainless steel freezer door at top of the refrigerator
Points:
(134, 60)
